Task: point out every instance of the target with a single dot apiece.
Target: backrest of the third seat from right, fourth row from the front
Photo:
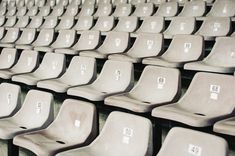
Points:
(152, 24)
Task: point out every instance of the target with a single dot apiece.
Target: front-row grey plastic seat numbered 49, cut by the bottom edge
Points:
(185, 142)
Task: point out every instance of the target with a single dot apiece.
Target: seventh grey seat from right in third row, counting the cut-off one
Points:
(44, 39)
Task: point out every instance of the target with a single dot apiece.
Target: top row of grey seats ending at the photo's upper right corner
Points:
(225, 8)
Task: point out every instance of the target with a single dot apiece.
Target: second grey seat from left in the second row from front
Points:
(26, 63)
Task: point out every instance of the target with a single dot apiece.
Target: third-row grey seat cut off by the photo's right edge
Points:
(220, 60)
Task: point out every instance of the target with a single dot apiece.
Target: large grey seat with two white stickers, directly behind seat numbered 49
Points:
(216, 94)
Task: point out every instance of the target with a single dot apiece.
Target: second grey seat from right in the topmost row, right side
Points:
(193, 9)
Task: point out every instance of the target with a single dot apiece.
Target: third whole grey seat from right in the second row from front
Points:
(115, 77)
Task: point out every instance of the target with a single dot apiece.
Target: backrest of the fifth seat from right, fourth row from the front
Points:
(104, 23)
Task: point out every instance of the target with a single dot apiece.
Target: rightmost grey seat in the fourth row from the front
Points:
(213, 27)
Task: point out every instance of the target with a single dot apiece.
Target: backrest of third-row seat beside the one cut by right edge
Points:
(185, 48)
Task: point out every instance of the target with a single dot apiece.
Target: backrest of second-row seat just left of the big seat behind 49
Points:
(158, 85)
